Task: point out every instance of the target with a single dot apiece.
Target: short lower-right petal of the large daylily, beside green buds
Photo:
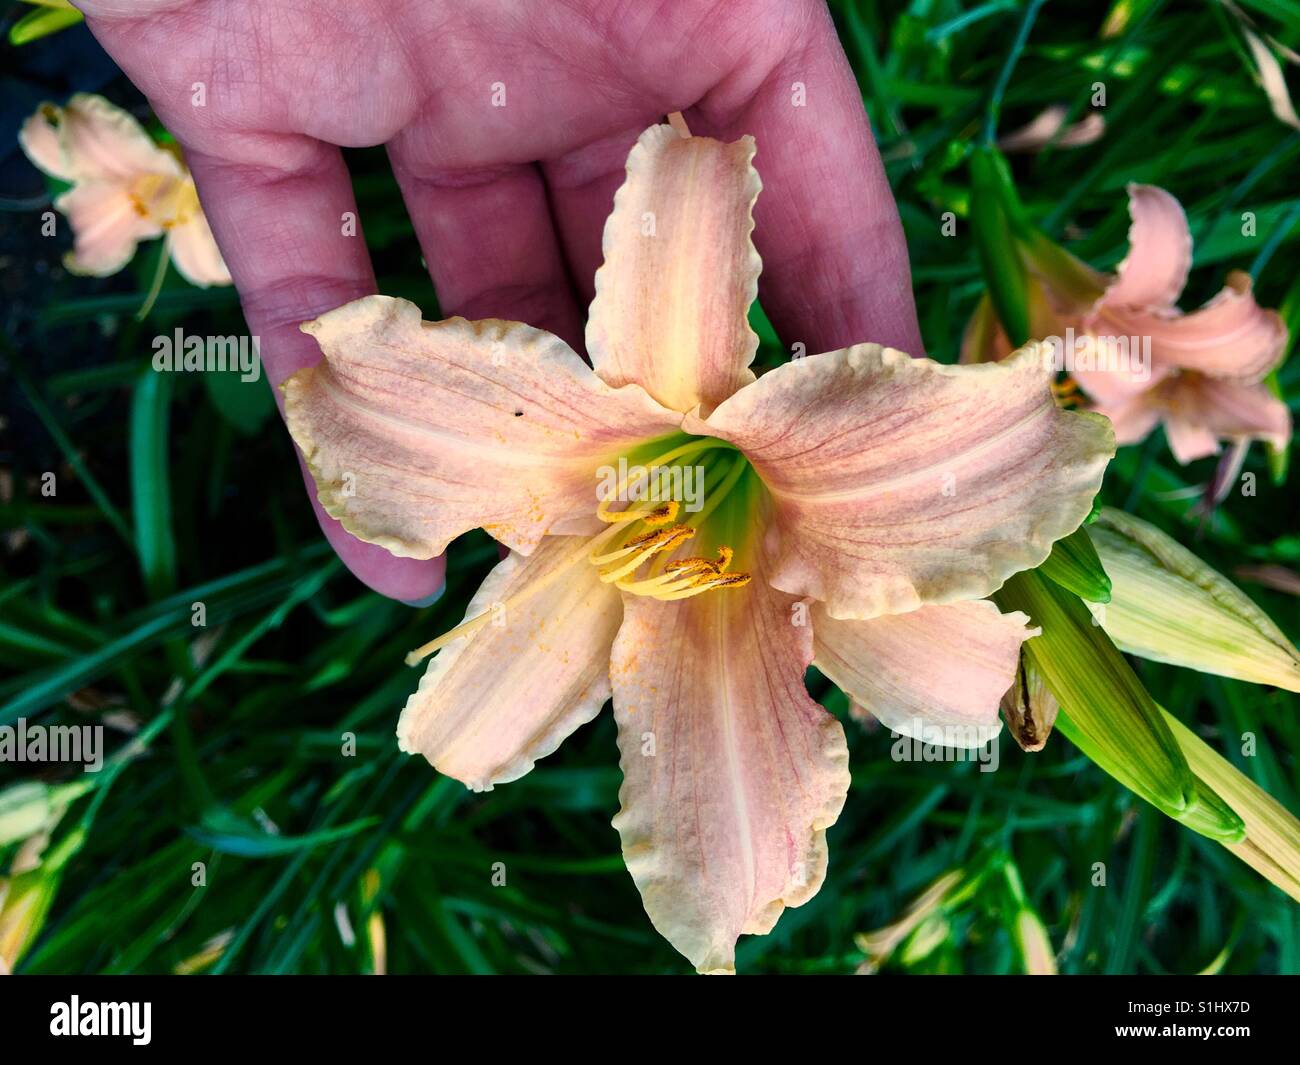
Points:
(937, 674)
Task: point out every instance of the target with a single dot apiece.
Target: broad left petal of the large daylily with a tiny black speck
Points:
(418, 432)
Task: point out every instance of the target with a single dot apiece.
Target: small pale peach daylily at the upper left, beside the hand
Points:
(125, 189)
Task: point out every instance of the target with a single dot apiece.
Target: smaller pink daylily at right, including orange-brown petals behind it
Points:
(1206, 380)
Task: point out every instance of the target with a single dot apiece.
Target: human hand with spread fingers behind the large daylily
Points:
(508, 128)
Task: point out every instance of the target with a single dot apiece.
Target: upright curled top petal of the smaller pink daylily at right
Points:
(1160, 252)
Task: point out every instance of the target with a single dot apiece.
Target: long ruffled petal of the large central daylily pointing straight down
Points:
(731, 773)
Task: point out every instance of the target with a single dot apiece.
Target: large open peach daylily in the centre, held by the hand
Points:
(857, 505)
